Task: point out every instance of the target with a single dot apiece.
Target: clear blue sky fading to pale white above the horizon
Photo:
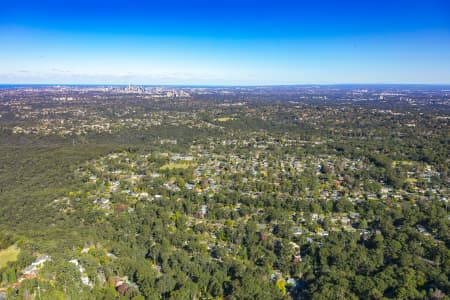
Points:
(224, 42)
